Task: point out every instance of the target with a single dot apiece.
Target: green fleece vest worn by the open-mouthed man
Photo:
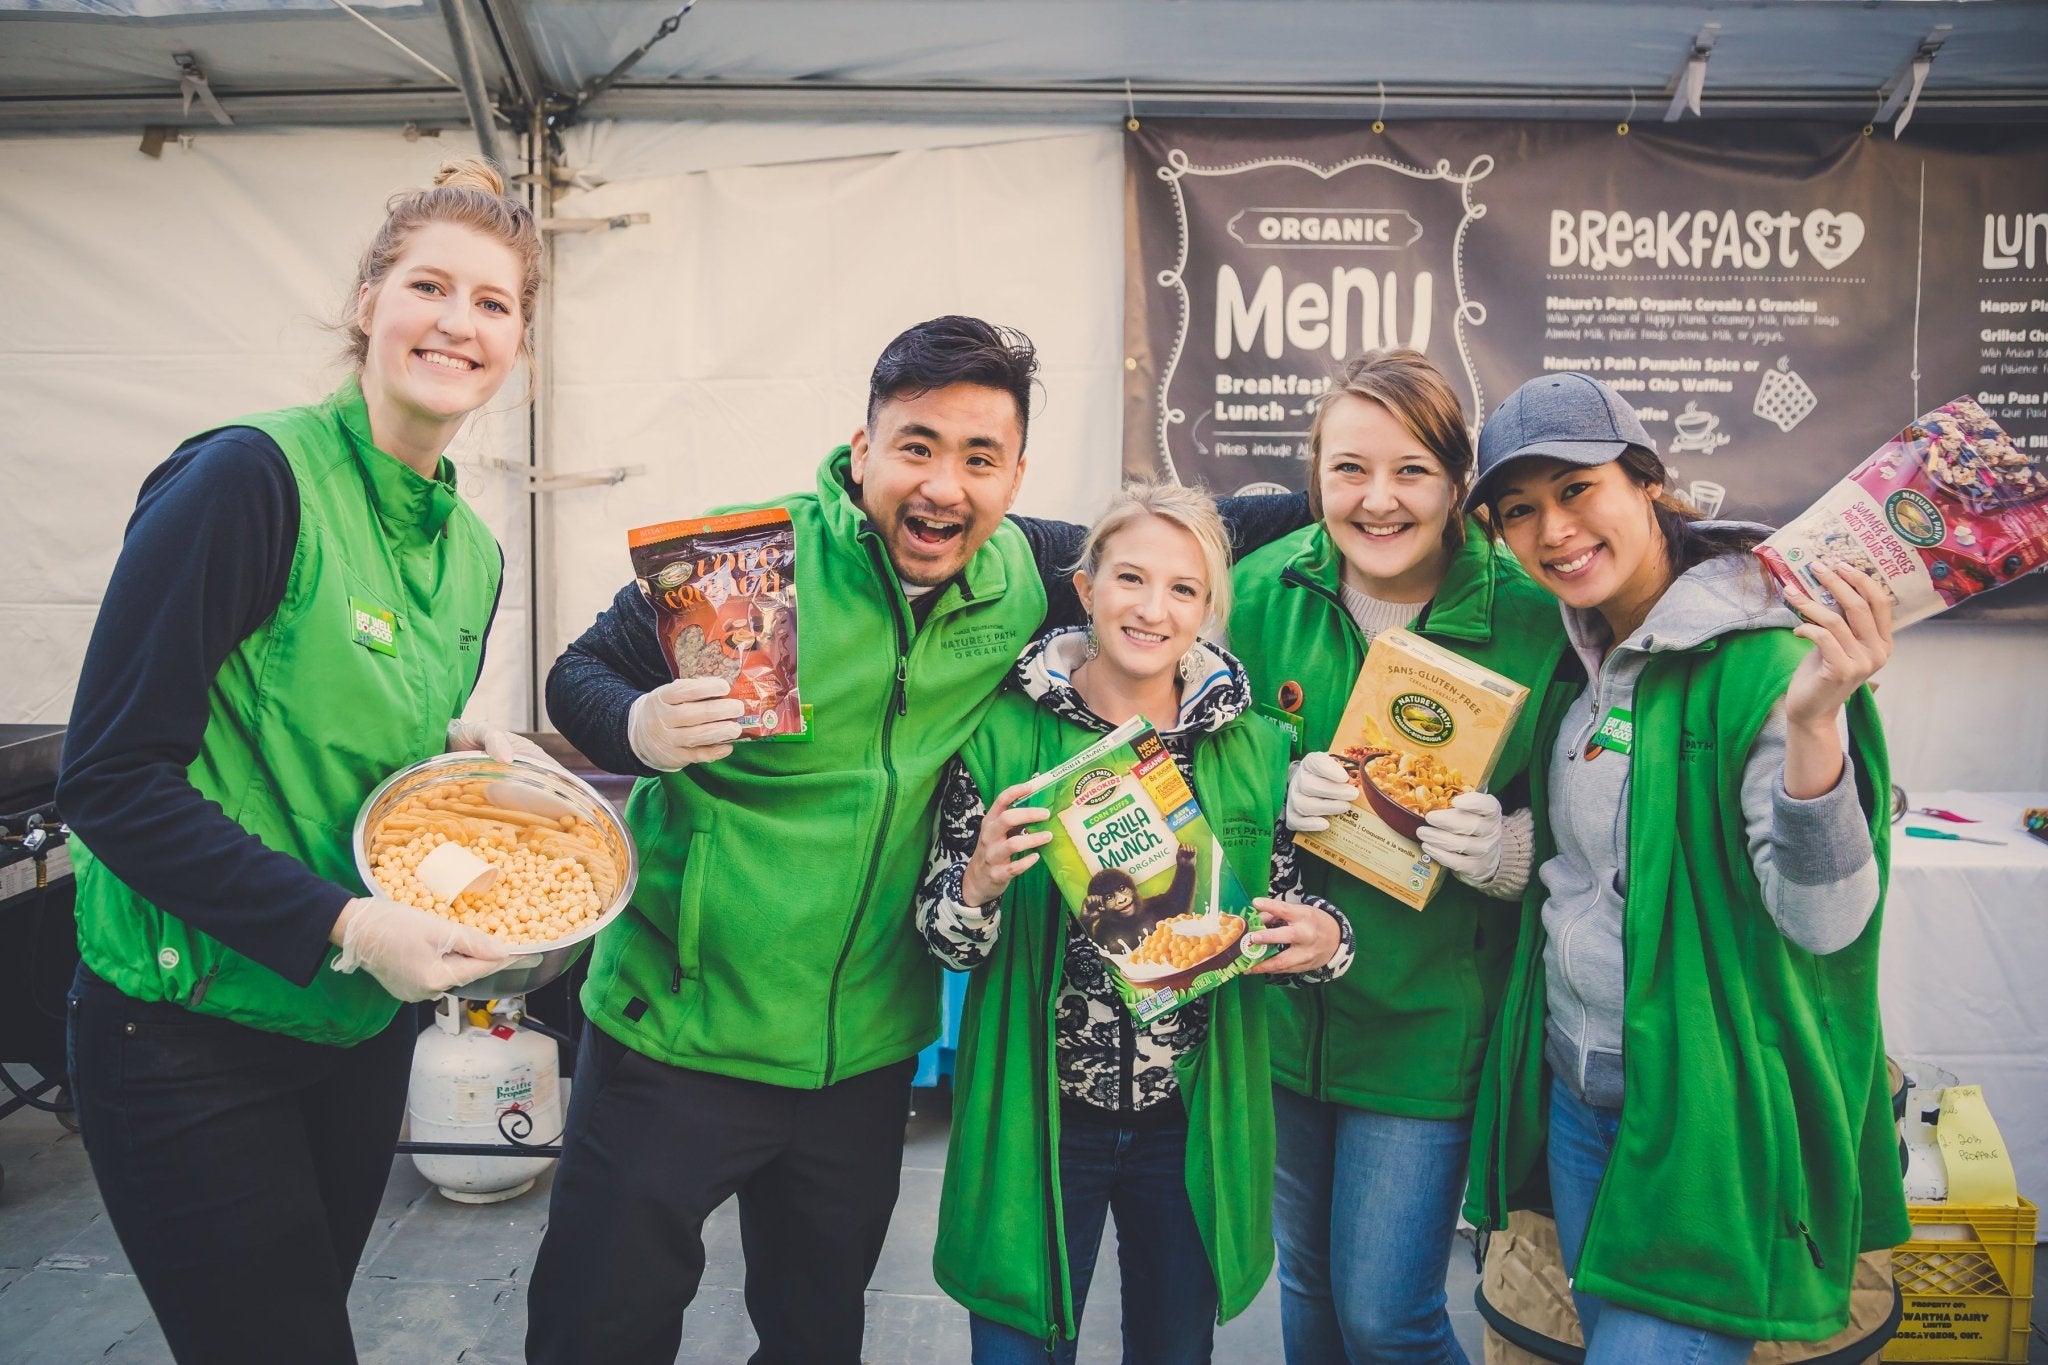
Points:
(771, 932)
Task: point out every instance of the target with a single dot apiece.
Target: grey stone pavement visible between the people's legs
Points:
(447, 1284)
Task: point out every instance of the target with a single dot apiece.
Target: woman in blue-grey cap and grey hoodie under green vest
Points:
(1691, 1053)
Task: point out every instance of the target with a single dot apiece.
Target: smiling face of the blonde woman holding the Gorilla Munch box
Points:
(1148, 599)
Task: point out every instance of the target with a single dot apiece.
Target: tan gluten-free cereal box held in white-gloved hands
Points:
(1420, 730)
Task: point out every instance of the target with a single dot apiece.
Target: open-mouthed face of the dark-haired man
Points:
(937, 474)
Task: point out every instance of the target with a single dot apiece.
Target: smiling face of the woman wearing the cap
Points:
(1588, 535)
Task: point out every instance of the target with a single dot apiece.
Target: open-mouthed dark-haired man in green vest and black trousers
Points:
(761, 1004)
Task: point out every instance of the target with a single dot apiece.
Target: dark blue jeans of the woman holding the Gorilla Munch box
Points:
(1170, 1294)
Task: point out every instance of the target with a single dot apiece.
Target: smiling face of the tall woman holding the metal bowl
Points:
(443, 335)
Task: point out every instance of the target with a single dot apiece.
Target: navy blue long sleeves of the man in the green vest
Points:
(597, 678)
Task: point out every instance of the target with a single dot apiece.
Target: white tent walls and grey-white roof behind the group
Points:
(722, 345)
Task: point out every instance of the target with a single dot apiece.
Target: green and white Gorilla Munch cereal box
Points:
(1144, 875)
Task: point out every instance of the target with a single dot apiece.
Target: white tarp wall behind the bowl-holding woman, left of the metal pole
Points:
(151, 300)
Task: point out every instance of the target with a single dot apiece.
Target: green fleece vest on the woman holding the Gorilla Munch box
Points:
(1002, 1241)
